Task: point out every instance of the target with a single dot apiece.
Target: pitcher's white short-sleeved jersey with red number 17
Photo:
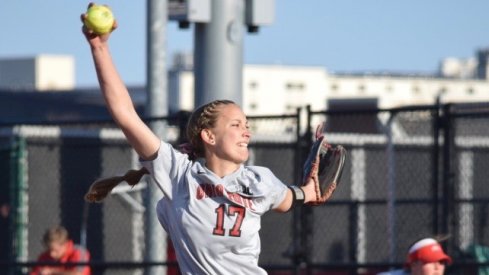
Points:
(213, 222)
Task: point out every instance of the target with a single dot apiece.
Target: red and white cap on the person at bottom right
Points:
(427, 251)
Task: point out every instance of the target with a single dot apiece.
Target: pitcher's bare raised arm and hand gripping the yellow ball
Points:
(117, 98)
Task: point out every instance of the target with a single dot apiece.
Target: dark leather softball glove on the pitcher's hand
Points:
(324, 166)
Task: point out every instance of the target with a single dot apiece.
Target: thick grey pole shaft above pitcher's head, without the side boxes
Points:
(218, 53)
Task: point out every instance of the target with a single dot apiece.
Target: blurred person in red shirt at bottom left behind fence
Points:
(61, 249)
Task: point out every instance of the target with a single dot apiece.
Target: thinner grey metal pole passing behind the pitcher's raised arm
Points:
(156, 106)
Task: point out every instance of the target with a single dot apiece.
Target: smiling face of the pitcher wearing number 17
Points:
(232, 134)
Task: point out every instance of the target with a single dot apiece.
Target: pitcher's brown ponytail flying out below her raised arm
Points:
(102, 187)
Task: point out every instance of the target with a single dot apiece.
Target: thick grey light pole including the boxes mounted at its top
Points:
(218, 42)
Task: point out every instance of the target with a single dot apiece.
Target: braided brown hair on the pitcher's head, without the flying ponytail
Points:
(204, 117)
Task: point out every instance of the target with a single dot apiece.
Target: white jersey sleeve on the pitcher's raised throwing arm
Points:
(167, 168)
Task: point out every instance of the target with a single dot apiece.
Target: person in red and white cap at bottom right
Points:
(425, 257)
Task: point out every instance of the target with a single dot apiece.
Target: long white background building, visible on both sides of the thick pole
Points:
(274, 89)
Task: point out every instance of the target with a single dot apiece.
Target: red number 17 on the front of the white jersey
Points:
(237, 211)
